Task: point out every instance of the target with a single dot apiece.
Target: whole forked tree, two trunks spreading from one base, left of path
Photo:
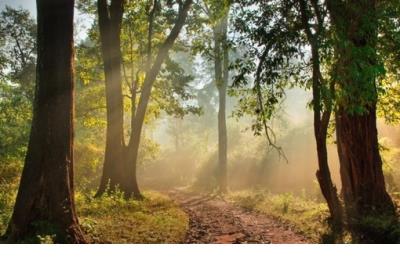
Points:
(122, 158)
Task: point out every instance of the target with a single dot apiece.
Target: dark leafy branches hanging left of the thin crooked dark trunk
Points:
(269, 35)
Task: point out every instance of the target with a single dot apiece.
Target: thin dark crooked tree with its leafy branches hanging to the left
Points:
(280, 60)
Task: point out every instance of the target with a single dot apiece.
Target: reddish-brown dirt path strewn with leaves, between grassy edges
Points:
(213, 220)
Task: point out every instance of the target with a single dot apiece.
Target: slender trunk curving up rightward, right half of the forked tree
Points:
(151, 75)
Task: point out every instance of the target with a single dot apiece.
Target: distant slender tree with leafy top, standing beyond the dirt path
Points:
(211, 40)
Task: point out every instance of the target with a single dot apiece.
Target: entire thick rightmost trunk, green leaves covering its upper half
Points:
(361, 172)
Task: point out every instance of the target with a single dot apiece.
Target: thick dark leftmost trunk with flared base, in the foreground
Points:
(46, 193)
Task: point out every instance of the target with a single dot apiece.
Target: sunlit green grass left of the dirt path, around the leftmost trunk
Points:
(112, 219)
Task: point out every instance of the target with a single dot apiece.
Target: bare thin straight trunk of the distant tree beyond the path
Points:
(221, 64)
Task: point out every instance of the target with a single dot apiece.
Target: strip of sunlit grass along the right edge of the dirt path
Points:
(304, 216)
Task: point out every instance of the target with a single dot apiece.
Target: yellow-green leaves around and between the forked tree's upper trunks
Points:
(171, 92)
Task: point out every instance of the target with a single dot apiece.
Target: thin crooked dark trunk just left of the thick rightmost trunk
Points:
(321, 122)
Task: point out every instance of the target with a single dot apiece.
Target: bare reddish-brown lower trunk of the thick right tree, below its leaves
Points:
(361, 172)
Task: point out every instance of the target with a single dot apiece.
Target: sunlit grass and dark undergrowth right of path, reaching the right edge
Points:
(310, 218)
